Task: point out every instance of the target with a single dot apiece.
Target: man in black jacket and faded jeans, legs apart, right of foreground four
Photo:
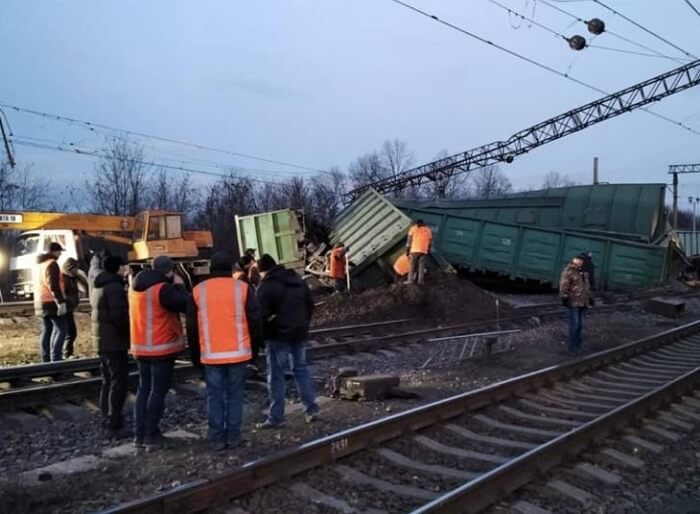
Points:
(286, 308)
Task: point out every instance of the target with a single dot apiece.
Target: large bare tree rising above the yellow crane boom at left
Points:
(120, 182)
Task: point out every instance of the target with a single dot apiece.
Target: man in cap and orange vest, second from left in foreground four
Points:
(155, 304)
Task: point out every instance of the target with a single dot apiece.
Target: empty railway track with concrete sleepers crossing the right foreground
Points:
(464, 453)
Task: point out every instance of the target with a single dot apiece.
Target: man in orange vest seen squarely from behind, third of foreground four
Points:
(224, 323)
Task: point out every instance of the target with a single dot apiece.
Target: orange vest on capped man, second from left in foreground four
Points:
(155, 331)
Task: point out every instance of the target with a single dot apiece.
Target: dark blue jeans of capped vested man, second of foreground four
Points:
(155, 377)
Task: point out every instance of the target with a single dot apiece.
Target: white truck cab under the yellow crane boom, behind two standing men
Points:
(28, 246)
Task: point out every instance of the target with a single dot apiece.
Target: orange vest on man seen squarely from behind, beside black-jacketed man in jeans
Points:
(224, 336)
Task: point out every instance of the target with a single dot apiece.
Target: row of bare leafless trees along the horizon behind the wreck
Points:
(122, 183)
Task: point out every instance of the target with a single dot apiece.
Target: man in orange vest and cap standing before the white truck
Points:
(50, 304)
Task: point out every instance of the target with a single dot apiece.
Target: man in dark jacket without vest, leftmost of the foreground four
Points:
(110, 335)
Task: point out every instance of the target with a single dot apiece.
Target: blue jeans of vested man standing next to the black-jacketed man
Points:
(225, 387)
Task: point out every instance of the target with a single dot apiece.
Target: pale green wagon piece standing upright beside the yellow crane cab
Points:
(278, 233)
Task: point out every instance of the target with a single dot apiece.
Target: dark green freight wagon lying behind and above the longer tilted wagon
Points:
(624, 211)
